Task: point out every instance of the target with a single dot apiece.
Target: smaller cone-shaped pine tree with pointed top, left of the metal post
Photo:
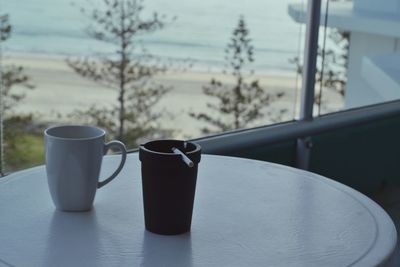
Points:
(238, 105)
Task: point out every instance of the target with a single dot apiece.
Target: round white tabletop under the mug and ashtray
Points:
(246, 213)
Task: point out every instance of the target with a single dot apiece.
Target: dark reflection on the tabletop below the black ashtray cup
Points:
(160, 250)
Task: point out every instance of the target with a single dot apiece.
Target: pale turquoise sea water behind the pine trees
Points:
(200, 32)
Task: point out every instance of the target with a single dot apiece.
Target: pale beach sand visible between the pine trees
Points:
(58, 90)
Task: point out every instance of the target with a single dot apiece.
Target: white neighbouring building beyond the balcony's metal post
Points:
(374, 50)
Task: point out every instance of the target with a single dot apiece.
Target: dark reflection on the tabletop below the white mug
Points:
(73, 238)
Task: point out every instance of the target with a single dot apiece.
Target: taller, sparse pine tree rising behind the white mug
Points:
(129, 70)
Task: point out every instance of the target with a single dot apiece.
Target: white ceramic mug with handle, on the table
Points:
(73, 160)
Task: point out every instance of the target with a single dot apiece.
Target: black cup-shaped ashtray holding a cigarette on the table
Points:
(169, 185)
